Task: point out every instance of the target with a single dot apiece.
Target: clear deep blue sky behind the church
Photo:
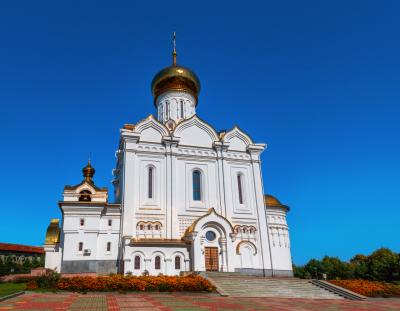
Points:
(317, 81)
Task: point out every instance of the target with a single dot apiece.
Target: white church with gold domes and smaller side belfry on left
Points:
(187, 198)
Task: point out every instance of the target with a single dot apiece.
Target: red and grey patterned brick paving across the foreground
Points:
(184, 302)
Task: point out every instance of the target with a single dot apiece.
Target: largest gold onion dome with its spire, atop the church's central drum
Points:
(175, 78)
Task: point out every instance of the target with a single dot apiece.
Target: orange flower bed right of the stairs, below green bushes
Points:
(369, 288)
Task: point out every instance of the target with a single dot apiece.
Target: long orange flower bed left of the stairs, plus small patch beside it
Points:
(132, 283)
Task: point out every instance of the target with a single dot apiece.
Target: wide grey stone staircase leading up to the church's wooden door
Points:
(237, 284)
